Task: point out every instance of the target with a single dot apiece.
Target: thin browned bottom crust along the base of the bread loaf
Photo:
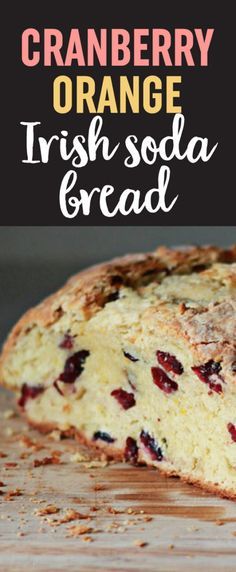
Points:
(118, 455)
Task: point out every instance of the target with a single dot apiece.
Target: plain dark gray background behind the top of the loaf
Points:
(34, 261)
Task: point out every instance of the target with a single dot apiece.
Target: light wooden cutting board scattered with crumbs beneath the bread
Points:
(181, 527)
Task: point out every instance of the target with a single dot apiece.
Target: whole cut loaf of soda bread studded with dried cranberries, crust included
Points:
(138, 357)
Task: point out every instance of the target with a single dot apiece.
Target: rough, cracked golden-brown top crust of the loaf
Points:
(191, 291)
